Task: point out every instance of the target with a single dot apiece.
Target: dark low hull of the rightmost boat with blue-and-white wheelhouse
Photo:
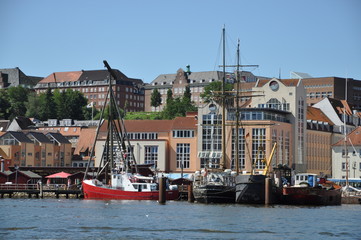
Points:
(311, 196)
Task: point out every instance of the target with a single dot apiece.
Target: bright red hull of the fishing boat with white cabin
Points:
(101, 192)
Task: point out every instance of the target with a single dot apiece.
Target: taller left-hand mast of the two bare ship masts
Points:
(222, 165)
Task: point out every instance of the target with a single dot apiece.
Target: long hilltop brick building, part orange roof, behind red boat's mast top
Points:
(129, 92)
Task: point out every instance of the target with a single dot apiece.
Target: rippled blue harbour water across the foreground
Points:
(94, 219)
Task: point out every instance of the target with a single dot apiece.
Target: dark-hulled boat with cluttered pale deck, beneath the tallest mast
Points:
(214, 187)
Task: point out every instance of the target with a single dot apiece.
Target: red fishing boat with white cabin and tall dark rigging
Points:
(118, 163)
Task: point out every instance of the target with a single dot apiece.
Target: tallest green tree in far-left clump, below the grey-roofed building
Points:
(17, 96)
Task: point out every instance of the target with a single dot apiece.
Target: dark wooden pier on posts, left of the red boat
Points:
(38, 190)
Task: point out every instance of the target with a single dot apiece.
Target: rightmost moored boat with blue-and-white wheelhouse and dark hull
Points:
(308, 191)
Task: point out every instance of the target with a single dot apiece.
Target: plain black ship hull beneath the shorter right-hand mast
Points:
(250, 189)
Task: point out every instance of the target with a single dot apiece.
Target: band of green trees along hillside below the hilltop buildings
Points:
(70, 104)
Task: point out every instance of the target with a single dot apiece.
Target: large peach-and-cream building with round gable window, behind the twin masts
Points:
(275, 113)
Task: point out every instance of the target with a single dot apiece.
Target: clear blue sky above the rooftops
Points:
(146, 38)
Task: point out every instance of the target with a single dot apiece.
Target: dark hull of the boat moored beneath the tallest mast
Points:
(214, 194)
